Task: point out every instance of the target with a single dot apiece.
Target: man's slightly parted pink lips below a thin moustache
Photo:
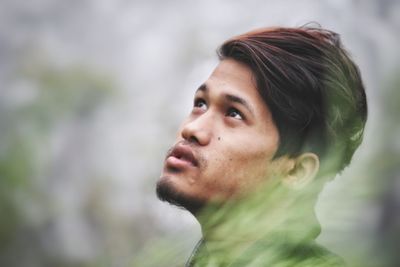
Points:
(180, 157)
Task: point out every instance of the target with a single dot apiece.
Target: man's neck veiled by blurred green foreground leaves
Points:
(260, 216)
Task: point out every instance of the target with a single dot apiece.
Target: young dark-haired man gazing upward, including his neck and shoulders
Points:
(281, 114)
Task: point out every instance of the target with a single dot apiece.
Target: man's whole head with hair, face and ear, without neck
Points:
(284, 105)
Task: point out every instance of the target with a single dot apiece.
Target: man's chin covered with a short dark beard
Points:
(169, 192)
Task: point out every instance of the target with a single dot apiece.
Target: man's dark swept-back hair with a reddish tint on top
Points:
(312, 88)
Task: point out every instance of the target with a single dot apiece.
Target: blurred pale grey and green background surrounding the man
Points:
(92, 92)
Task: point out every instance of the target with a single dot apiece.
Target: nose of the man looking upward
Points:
(198, 130)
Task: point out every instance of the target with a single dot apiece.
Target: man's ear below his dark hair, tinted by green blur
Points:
(302, 172)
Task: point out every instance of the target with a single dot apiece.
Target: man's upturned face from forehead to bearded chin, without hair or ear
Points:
(226, 144)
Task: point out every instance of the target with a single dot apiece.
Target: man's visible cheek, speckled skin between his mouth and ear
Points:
(235, 163)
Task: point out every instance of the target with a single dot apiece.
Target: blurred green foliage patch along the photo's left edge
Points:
(59, 95)
